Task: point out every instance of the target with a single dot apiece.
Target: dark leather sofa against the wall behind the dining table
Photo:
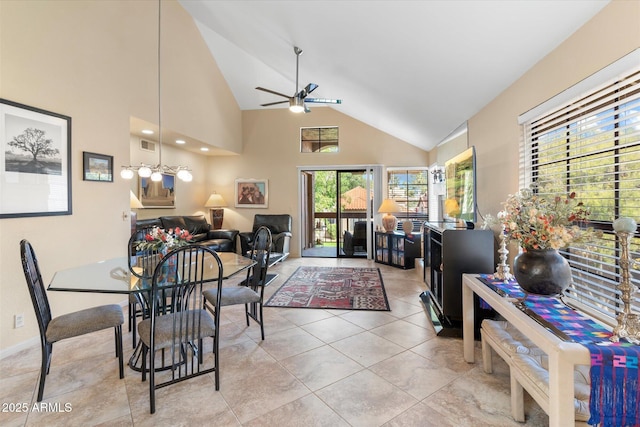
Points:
(200, 229)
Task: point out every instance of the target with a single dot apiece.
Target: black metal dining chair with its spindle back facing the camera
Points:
(178, 327)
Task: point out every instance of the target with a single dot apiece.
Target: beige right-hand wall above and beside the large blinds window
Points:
(494, 131)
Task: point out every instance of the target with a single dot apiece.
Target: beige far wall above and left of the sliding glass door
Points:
(272, 150)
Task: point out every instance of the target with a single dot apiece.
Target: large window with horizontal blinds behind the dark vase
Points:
(591, 146)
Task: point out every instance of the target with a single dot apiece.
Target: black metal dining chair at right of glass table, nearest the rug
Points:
(250, 292)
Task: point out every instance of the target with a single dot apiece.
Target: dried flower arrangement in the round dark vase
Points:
(540, 223)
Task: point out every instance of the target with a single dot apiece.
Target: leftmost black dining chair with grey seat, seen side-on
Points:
(68, 325)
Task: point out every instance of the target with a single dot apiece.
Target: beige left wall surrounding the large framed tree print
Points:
(96, 61)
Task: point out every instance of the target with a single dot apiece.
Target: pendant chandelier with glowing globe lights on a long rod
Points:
(155, 171)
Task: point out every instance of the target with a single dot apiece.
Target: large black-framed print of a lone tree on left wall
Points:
(35, 159)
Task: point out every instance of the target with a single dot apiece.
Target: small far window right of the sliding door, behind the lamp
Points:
(409, 188)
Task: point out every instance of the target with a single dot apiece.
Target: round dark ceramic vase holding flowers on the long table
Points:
(542, 272)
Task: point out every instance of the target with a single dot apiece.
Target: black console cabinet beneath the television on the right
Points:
(449, 253)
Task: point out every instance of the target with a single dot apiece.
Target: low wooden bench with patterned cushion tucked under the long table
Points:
(529, 369)
